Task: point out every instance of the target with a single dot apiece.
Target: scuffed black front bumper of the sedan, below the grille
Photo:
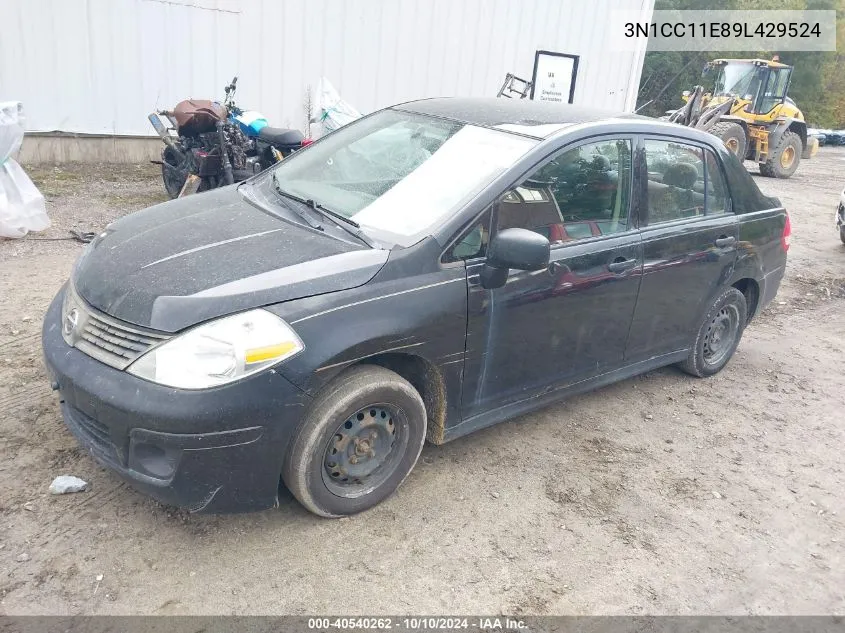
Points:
(214, 450)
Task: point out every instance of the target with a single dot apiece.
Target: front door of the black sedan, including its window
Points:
(548, 328)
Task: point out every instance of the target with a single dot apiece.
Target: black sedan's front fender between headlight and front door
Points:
(421, 315)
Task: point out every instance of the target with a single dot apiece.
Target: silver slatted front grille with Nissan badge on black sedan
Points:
(113, 342)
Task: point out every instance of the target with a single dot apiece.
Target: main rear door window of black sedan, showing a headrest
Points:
(675, 181)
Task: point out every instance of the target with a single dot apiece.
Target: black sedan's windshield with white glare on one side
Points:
(400, 174)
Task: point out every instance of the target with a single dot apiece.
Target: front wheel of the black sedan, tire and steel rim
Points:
(339, 490)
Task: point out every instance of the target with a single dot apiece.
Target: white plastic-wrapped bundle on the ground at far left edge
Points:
(22, 207)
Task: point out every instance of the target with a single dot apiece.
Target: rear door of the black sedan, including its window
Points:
(689, 237)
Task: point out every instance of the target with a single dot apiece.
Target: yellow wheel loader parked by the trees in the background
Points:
(749, 110)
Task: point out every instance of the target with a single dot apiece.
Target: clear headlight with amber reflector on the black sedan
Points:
(219, 352)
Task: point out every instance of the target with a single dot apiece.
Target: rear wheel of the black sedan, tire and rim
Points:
(715, 343)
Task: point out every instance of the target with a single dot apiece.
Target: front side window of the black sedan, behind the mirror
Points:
(582, 192)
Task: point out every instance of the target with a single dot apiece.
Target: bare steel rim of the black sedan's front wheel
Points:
(365, 450)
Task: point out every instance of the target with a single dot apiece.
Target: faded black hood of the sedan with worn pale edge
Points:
(199, 257)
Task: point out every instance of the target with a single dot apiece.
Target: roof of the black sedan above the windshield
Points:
(539, 119)
